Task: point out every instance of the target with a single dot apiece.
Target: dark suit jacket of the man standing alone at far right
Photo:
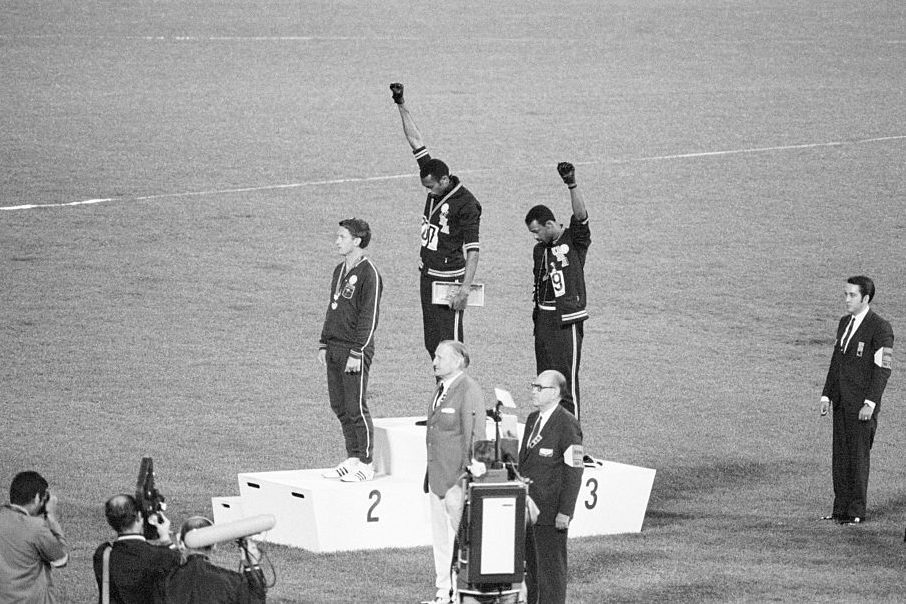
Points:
(862, 371)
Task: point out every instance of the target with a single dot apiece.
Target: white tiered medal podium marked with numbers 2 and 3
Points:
(327, 515)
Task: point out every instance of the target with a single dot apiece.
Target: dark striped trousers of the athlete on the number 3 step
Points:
(560, 348)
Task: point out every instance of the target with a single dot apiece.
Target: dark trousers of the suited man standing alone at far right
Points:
(852, 443)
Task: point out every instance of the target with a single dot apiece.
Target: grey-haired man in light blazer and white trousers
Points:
(456, 420)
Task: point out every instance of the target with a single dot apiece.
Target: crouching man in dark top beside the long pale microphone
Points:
(197, 581)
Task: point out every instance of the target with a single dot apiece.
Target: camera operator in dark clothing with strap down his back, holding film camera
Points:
(127, 568)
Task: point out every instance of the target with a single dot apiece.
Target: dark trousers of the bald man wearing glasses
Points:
(545, 565)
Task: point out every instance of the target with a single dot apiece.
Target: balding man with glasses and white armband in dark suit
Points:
(551, 456)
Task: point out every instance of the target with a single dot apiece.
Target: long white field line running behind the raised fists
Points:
(339, 181)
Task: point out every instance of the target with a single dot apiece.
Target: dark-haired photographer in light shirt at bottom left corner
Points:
(31, 541)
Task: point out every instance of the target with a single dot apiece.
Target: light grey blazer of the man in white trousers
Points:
(453, 427)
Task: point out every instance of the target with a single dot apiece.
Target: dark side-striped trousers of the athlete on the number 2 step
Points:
(347, 399)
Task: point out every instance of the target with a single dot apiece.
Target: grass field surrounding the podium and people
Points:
(740, 160)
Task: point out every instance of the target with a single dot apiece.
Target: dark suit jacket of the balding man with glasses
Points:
(554, 464)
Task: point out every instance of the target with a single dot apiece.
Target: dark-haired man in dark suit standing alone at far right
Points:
(859, 369)
